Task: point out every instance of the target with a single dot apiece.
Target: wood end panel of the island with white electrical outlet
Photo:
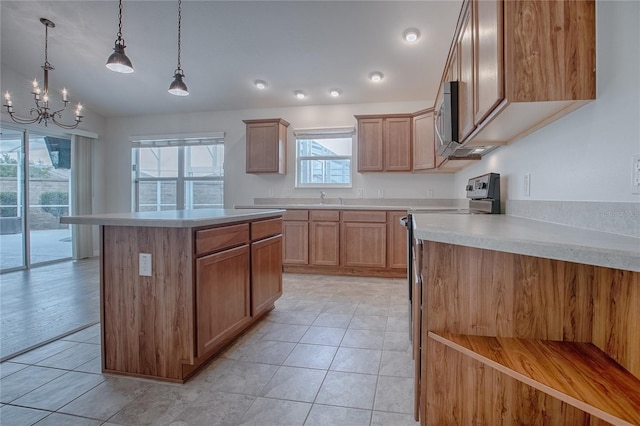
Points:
(144, 331)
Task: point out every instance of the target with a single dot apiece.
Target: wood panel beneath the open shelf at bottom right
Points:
(484, 396)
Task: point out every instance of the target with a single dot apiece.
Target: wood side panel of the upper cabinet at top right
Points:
(545, 42)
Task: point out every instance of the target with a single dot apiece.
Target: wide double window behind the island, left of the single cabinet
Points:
(178, 174)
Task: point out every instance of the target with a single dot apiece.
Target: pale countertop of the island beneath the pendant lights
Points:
(173, 218)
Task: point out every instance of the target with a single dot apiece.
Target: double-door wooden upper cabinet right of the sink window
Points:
(384, 143)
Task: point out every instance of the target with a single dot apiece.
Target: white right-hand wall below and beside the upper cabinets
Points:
(585, 156)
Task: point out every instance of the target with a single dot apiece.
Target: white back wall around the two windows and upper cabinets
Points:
(242, 188)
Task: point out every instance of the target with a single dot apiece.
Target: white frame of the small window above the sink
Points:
(318, 134)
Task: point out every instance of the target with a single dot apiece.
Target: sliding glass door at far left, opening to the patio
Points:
(34, 193)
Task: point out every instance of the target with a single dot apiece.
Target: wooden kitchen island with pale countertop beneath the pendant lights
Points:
(178, 286)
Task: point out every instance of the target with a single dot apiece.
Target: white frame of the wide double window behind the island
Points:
(182, 143)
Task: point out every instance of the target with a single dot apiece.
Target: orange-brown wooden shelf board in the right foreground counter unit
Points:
(579, 374)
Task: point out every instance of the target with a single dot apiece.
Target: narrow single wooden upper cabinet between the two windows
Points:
(266, 145)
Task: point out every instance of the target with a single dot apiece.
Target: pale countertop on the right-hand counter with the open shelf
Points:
(530, 237)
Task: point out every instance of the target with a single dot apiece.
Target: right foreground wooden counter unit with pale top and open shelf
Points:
(525, 322)
